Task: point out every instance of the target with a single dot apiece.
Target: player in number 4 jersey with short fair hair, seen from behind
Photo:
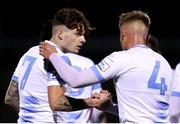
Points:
(142, 77)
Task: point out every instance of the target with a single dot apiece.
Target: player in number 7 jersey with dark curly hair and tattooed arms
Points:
(28, 91)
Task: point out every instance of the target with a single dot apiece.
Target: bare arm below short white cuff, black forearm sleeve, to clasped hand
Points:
(58, 101)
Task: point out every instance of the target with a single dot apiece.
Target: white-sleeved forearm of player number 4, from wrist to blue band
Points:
(70, 75)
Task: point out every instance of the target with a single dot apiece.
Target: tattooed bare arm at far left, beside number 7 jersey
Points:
(12, 95)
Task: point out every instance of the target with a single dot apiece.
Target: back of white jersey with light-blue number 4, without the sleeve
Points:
(143, 85)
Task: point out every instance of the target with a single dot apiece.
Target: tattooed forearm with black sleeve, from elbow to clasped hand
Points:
(65, 103)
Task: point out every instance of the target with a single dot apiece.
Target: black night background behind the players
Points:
(21, 22)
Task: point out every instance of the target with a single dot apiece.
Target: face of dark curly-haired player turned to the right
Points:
(73, 41)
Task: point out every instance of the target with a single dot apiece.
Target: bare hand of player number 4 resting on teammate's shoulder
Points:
(46, 50)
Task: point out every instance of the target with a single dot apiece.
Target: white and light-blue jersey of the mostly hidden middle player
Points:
(82, 116)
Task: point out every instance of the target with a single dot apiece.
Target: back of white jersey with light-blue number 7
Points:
(32, 79)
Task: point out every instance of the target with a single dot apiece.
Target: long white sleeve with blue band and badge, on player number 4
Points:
(106, 69)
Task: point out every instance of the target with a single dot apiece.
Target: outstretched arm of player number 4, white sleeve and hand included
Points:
(72, 76)
